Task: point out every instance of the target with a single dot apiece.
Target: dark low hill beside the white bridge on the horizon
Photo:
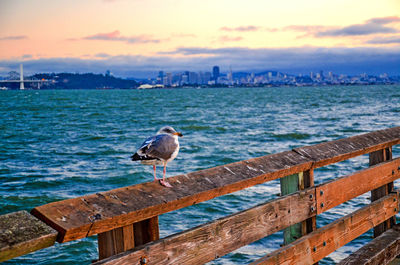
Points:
(85, 81)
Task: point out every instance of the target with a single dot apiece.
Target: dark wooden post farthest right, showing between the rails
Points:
(376, 158)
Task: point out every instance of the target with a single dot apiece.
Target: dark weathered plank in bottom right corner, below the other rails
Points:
(380, 251)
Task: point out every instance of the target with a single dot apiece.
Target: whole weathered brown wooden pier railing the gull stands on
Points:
(126, 219)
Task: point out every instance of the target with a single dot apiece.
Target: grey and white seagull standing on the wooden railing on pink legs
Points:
(159, 150)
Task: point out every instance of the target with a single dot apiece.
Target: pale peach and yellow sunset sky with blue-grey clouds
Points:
(138, 38)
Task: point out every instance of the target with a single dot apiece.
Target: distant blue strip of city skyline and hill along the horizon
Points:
(190, 79)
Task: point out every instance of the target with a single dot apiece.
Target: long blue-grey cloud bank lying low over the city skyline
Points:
(372, 60)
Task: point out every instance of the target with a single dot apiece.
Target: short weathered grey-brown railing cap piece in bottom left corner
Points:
(22, 233)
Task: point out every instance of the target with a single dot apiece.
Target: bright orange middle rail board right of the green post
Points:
(337, 191)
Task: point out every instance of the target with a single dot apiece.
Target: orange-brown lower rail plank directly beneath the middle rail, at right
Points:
(320, 243)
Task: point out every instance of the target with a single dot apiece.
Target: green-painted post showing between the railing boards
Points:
(291, 184)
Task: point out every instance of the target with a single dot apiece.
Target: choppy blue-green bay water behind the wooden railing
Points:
(56, 145)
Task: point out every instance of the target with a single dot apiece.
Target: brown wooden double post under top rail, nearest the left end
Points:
(124, 238)
